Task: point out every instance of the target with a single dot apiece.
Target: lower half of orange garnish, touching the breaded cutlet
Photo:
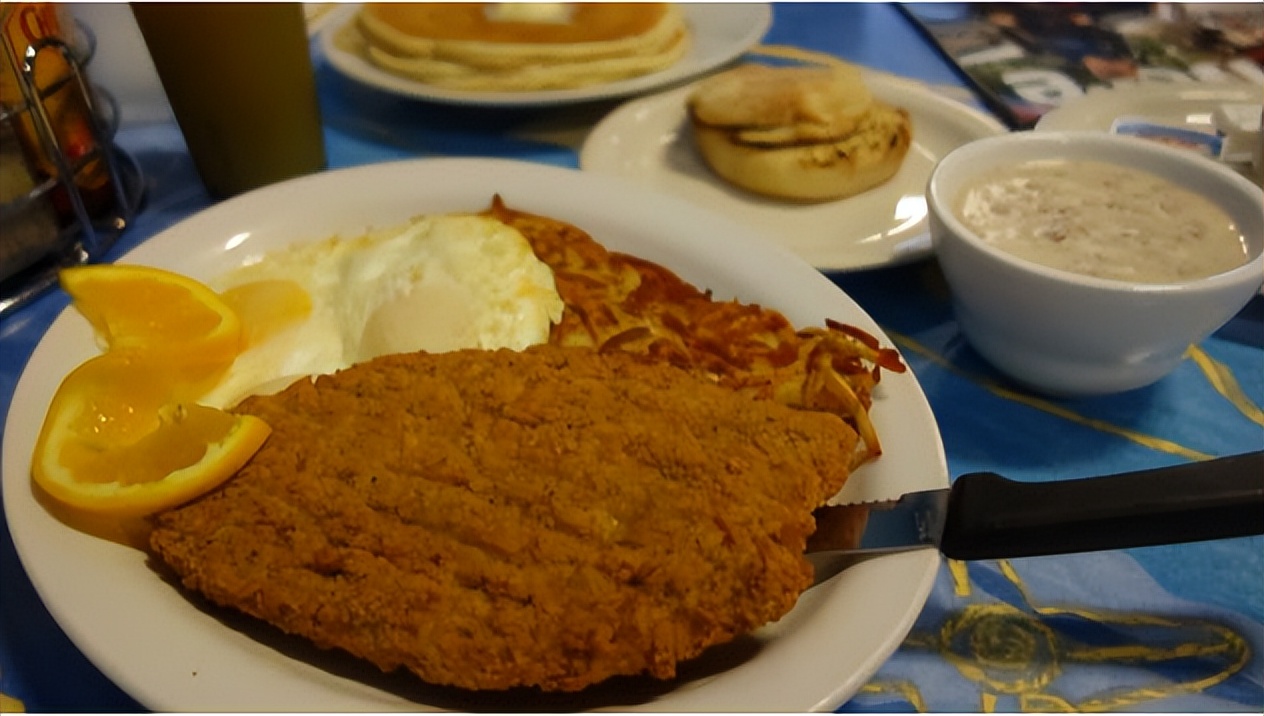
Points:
(114, 442)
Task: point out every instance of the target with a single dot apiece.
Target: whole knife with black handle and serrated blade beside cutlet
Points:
(988, 517)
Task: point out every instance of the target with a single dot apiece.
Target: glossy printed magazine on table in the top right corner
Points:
(1027, 59)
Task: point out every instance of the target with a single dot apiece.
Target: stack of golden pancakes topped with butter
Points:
(509, 47)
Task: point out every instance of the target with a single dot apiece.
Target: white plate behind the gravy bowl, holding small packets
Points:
(1182, 106)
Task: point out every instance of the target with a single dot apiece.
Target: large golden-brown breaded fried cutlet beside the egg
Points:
(495, 519)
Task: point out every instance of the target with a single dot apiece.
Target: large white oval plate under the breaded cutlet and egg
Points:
(173, 653)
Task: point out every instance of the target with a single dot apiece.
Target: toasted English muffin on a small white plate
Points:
(799, 133)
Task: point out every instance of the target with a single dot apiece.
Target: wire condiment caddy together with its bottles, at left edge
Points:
(66, 192)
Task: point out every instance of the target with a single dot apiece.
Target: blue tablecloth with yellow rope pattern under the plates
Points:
(1156, 629)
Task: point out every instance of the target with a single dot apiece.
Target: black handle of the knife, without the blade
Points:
(995, 518)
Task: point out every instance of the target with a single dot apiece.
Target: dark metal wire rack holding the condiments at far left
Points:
(36, 241)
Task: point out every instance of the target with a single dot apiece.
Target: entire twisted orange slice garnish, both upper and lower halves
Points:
(125, 436)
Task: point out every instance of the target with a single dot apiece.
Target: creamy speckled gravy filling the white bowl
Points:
(1103, 221)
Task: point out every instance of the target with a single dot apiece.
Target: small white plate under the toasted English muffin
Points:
(649, 141)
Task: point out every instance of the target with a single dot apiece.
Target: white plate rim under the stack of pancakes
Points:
(721, 34)
